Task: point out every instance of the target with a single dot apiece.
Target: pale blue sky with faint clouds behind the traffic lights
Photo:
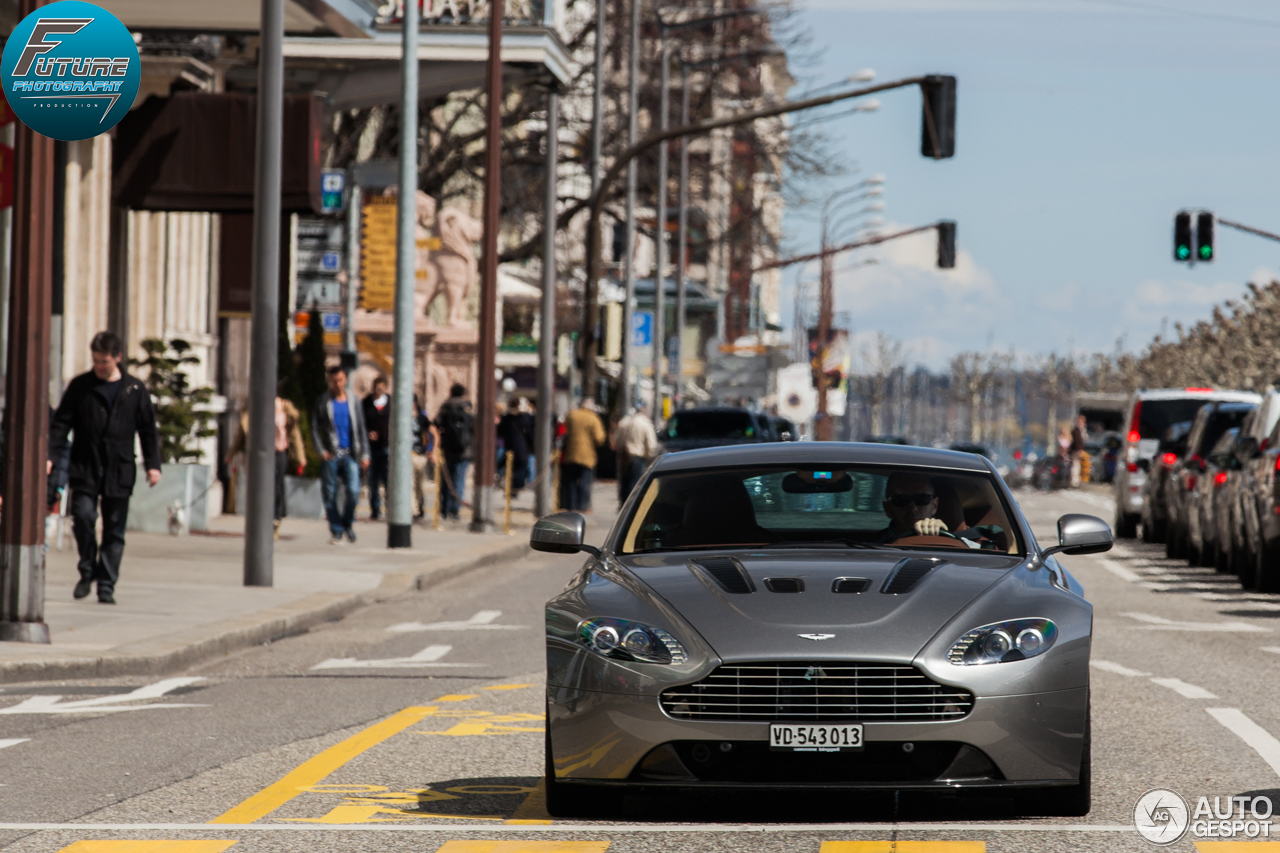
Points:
(1082, 127)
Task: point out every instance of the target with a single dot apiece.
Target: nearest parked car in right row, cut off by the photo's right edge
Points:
(1251, 480)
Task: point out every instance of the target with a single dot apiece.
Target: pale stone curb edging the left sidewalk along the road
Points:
(199, 645)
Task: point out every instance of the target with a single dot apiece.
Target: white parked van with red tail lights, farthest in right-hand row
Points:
(1151, 413)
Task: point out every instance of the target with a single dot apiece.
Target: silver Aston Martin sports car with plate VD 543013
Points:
(828, 615)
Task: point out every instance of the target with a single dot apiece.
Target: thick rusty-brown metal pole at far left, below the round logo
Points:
(26, 417)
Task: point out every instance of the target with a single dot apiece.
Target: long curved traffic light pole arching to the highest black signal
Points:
(595, 240)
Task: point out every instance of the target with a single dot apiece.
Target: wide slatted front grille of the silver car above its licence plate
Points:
(790, 692)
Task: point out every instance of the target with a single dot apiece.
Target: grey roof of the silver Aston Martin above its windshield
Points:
(821, 454)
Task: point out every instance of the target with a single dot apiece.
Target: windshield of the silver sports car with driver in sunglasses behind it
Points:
(838, 507)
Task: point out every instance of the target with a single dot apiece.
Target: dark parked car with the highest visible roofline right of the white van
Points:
(1183, 500)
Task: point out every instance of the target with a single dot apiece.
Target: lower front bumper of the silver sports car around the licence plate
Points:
(1009, 741)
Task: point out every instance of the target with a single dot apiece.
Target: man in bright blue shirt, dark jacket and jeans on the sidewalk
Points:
(339, 432)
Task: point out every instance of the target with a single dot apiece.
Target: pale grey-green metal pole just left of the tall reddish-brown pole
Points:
(400, 482)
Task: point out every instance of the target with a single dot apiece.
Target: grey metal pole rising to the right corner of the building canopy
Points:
(546, 425)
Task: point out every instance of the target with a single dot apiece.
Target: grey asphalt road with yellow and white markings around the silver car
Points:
(417, 726)
